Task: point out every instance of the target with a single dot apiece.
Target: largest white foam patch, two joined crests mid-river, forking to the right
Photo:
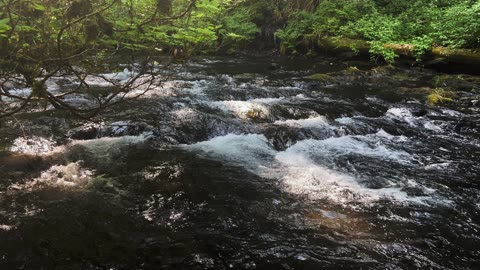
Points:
(298, 173)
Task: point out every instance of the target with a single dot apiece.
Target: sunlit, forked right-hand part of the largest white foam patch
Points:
(302, 175)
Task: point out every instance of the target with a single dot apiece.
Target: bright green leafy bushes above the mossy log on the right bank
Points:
(422, 24)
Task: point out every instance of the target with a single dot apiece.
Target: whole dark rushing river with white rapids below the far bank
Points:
(245, 164)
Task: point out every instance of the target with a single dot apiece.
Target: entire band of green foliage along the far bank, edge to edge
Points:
(207, 25)
